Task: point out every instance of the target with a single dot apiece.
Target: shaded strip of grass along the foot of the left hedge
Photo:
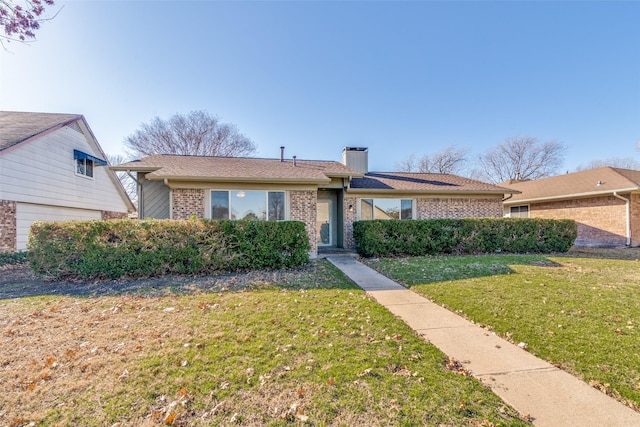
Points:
(18, 281)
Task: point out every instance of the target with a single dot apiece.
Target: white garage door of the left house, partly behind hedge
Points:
(27, 213)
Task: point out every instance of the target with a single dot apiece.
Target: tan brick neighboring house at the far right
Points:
(605, 203)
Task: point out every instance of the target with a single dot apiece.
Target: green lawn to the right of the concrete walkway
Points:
(579, 312)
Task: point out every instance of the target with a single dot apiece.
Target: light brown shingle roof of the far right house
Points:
(591, 182)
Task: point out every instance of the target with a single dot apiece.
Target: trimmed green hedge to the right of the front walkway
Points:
(463, 236)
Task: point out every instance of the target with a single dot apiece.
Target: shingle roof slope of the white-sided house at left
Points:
(16, 127)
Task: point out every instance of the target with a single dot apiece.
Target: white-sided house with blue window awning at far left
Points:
(51, 169)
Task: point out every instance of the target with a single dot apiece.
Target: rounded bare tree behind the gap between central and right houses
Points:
(521, 158)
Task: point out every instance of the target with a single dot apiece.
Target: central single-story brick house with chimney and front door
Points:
(327, 196)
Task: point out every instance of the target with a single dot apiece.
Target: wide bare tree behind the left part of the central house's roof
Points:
(197, 133)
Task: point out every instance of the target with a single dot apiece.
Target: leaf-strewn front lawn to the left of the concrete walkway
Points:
(313, 351)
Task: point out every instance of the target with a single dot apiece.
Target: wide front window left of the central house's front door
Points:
(248, 205)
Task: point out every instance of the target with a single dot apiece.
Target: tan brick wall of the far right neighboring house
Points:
(601, 220)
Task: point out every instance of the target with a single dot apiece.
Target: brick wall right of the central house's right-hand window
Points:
(449, 207)
